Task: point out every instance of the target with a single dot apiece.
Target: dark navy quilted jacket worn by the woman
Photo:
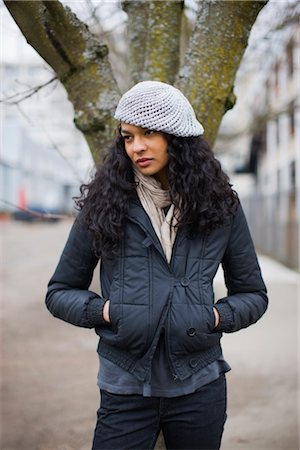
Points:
(147, 294)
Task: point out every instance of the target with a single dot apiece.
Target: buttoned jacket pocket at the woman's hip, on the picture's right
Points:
(191, 328)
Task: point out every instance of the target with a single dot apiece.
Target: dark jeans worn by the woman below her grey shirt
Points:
(193, 421)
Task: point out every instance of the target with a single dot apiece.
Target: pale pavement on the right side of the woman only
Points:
(263, 408)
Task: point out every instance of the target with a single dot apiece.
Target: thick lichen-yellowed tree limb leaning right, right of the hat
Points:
(216, 47)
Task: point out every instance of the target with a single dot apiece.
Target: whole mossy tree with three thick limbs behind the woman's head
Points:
(81, 62)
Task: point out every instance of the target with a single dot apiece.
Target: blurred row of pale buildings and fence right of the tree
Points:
(267, 171)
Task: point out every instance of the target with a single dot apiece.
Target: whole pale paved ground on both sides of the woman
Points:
(49, 368)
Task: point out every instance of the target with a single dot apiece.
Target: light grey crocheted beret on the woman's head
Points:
(158, 106)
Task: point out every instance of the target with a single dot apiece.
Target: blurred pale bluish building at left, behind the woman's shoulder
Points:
(32, 175)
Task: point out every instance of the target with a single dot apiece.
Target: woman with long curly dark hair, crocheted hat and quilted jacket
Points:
(161, 215)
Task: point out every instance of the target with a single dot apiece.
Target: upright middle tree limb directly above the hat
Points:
(153, 31)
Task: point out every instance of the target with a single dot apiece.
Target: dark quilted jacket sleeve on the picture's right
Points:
(246, 299)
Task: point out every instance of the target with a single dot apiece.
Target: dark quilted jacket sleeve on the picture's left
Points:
(68, 297)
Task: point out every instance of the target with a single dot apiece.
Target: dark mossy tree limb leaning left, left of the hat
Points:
(80, 62)
